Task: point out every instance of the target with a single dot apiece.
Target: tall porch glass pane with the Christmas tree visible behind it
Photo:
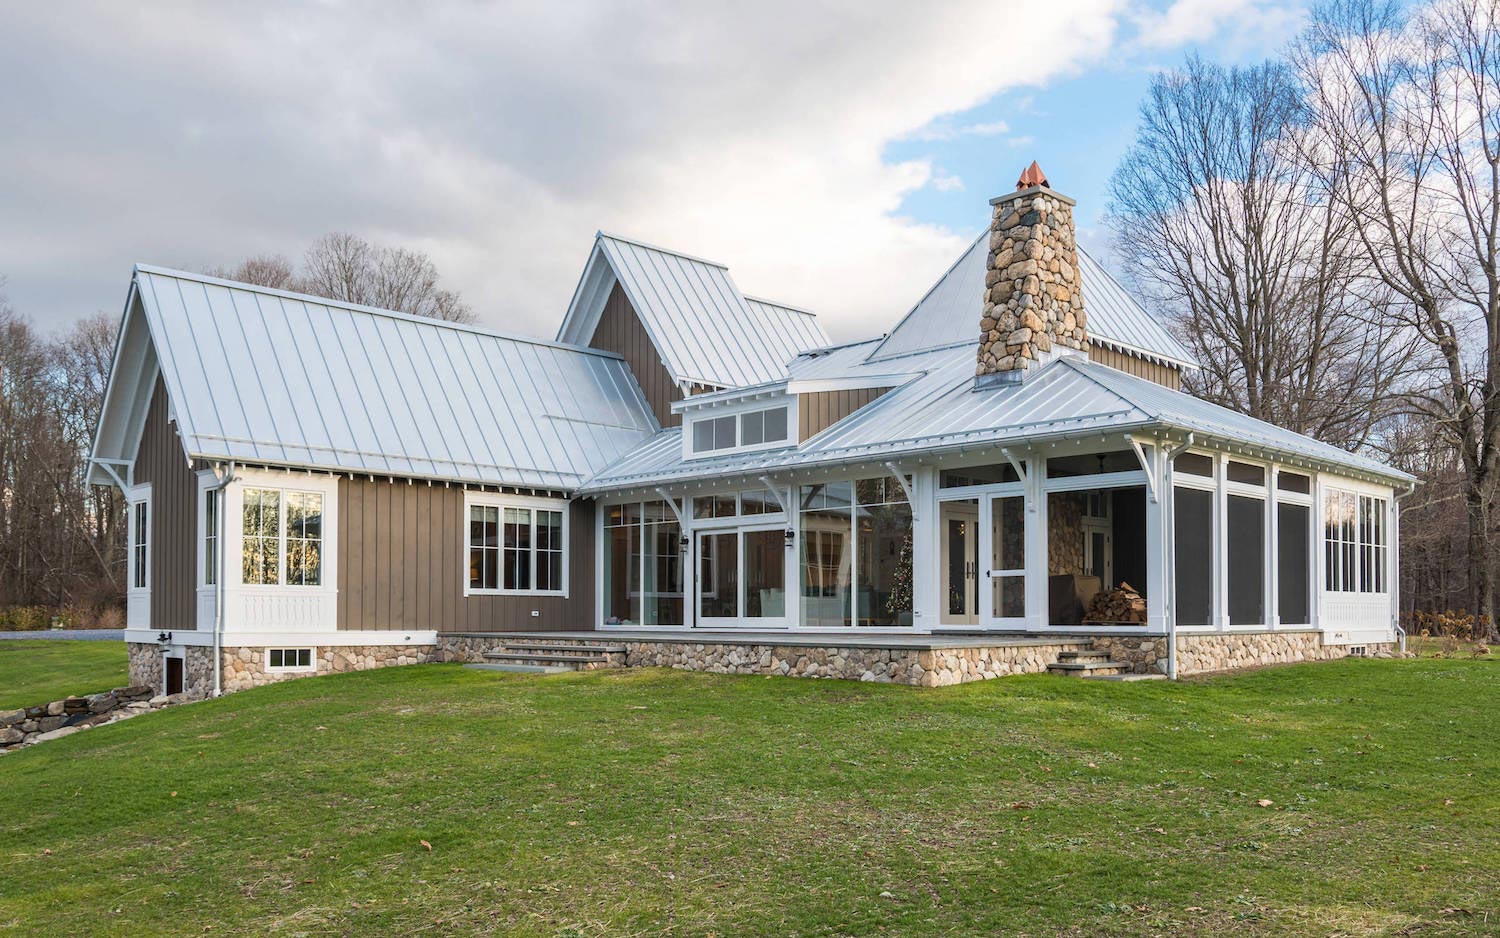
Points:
(884, 538)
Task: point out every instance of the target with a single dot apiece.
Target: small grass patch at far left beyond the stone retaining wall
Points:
(44, 670)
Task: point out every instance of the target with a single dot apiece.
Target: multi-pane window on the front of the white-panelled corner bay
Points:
(281, 526)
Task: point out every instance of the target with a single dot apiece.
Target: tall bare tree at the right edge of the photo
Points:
(1406, 127)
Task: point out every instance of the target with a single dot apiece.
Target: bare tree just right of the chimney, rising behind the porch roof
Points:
(1231, 233)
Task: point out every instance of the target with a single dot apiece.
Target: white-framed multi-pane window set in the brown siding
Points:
(517, 549)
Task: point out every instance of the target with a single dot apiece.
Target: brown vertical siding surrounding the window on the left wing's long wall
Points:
(403, 561)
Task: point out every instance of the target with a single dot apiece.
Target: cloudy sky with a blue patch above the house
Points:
(836, 157)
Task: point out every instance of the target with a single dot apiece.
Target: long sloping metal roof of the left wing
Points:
(274, 377)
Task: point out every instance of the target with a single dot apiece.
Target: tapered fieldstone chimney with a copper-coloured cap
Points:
(1033, 307)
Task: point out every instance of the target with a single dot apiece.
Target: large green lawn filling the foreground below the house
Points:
(662, 802)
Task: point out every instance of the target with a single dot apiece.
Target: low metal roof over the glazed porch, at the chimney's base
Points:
(941, 410)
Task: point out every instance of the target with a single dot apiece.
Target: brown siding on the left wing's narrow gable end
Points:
(163, 461)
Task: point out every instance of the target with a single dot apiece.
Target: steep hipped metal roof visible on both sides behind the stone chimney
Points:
(950, 313)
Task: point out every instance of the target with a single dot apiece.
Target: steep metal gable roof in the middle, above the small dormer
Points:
(706, 331)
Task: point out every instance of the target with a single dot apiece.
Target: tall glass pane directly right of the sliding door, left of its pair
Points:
(827, 564)
